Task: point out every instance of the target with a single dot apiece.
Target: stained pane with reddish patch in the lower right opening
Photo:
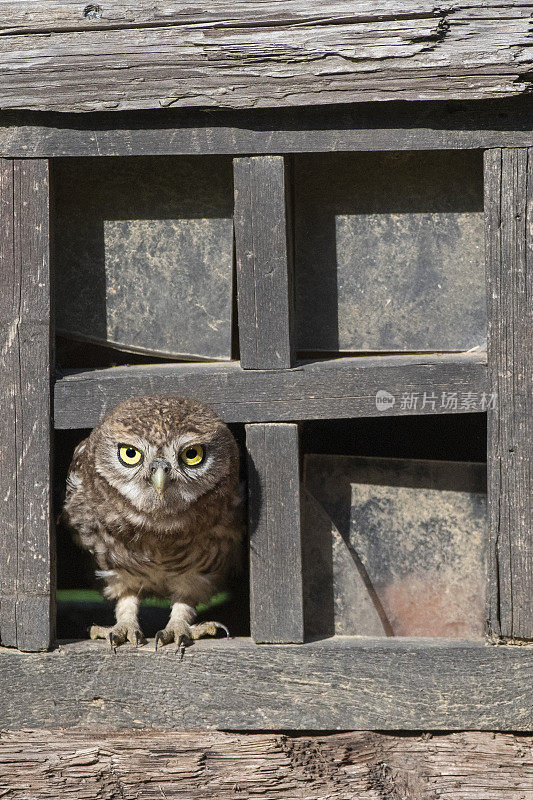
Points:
(394, 547)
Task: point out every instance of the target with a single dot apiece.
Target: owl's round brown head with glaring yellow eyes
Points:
(164, 453)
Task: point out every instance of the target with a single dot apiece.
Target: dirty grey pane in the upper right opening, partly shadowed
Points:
(389, 251)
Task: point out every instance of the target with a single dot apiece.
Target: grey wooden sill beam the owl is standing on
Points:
(342, 683)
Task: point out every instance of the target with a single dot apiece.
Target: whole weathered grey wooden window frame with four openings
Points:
(342, 682)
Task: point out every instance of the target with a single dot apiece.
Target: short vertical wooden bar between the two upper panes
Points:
(263, 245)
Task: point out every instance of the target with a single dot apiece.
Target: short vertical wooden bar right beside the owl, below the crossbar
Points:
(276, 596)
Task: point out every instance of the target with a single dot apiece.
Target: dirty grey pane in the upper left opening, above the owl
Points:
(144, 254)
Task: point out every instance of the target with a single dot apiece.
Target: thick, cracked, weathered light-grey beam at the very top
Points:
(257, 54)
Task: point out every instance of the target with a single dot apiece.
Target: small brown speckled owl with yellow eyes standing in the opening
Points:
(153, 494)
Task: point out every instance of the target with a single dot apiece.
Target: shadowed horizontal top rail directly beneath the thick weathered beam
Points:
(358, 126)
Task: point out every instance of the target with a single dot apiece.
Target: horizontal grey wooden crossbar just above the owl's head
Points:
(343, 387)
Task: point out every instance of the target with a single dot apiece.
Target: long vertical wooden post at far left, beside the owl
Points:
(26, 549)
